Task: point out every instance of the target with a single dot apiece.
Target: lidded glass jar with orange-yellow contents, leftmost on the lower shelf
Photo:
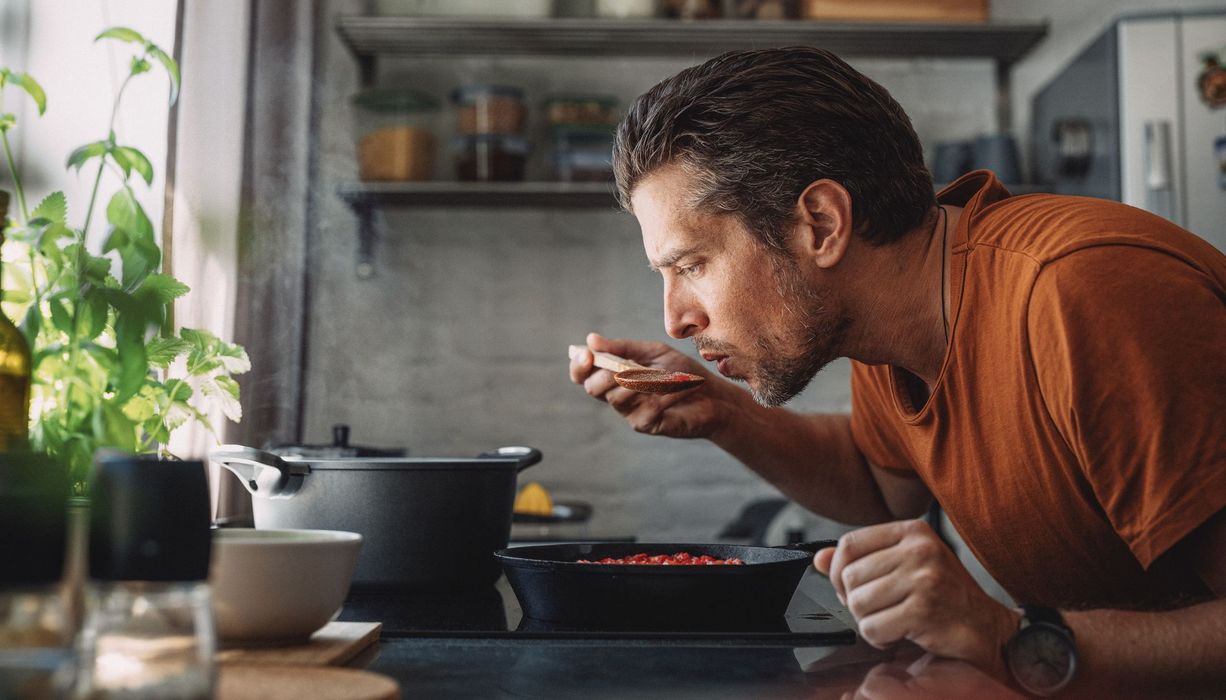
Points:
(395, 131)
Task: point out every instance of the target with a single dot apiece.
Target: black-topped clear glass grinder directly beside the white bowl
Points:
(149, 625)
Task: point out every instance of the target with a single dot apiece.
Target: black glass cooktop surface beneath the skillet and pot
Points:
(495, 614)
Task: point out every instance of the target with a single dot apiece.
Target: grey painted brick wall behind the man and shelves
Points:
(459, 344)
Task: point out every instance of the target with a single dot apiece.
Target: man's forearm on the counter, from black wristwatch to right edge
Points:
(1174, 654)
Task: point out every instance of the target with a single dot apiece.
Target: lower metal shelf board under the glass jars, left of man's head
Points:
(448, 194)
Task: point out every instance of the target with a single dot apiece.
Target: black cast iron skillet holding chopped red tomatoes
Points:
(552, 587)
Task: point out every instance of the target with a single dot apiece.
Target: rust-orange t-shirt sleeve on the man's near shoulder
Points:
(1130, 349)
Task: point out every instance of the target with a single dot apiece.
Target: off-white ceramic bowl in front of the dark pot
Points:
(279, 585)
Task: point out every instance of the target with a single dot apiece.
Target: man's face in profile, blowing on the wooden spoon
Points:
(753, 312)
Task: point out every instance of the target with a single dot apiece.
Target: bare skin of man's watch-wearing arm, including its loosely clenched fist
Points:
(902, 583)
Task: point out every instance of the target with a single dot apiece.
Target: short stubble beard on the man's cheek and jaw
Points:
(813, 327)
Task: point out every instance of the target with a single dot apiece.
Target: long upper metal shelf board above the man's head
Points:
(370, 37)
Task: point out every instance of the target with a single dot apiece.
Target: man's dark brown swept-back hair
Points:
(755, 128)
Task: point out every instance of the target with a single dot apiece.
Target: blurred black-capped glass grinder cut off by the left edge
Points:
(36, 630)
